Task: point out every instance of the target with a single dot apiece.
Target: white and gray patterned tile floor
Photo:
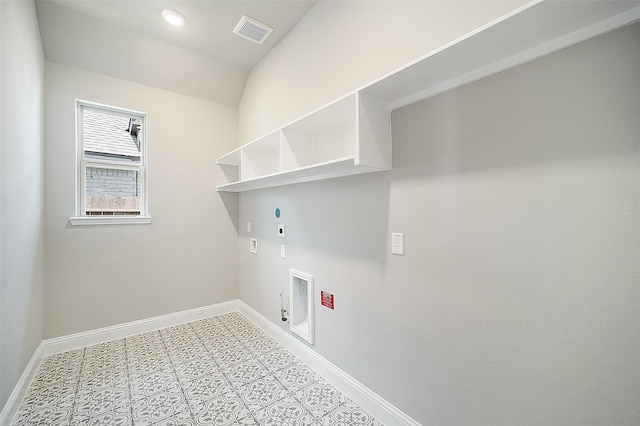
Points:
(218, 371)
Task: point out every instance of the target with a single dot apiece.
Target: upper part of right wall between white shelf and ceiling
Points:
(340, 46)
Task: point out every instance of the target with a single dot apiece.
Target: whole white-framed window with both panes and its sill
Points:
(111, 169)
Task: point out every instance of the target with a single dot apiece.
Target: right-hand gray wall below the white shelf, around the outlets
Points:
(517, 299)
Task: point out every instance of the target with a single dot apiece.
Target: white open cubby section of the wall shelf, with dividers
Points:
(349, 136)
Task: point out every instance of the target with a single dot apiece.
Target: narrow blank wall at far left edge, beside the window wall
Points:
(21, 205)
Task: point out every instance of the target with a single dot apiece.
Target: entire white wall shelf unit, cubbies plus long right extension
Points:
(353, 135)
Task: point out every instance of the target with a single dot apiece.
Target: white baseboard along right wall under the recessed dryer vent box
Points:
(373, 403)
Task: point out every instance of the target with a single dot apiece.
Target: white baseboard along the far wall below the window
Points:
(93, 337)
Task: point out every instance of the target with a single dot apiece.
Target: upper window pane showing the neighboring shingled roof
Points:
(111, 136)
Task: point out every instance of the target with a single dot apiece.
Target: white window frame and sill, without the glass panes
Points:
(81, 218)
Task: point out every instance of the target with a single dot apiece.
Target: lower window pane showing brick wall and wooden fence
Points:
(112, 191)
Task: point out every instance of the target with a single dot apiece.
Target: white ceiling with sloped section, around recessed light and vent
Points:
(129, 40)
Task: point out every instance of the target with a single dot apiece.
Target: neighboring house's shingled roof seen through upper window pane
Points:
(108, 134)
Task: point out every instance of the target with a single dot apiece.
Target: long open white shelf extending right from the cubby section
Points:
(535, 30)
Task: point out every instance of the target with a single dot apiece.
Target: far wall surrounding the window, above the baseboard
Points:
(101, 276)
